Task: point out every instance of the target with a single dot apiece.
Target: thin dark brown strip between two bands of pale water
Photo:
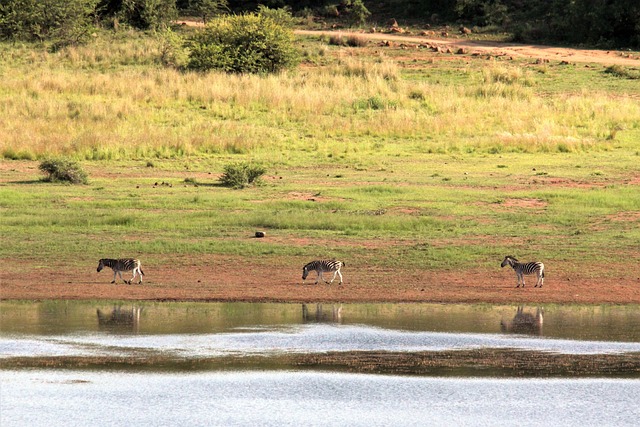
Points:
(474, 363)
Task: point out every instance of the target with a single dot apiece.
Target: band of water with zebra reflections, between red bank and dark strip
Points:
(210, 330)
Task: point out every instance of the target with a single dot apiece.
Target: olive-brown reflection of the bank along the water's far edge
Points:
(571, 322)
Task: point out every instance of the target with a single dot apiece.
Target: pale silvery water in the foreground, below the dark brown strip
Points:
(45, 398)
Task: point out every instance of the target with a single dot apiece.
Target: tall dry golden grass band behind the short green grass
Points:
(114, 99)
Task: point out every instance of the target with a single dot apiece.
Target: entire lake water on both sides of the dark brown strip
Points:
(258, 395)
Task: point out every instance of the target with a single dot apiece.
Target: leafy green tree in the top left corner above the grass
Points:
(61, 21)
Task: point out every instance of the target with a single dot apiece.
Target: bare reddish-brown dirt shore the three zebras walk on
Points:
(217, 278)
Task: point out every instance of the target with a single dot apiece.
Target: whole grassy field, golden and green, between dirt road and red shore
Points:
(372, 156)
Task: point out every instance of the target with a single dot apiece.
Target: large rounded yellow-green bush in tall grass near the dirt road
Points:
(243, 44)
